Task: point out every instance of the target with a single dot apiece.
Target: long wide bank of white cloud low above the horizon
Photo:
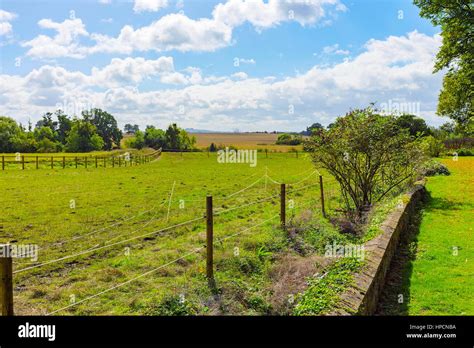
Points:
(397, 68)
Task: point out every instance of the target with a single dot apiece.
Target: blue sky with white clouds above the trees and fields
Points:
(221, 65)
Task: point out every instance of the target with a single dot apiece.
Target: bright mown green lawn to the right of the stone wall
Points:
(434, 267)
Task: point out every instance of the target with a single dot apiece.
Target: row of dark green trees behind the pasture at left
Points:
(94, 130)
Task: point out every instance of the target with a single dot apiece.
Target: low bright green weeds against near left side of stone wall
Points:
(323, 292)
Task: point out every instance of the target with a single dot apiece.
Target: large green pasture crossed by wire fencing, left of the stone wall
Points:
(70, 211)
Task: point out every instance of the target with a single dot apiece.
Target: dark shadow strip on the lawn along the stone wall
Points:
(395, 296)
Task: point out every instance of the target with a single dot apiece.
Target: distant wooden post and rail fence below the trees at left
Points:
(75, 161)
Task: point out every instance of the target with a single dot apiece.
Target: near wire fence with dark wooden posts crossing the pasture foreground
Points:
(287, 191)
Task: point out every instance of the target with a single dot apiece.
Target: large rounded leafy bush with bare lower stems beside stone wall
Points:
(368, 154)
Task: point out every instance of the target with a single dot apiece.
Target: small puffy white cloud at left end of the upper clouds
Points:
(64, 44)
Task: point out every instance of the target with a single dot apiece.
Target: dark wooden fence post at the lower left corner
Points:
(6, 281)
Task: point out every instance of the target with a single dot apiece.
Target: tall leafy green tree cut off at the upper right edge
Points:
(457, 55)
